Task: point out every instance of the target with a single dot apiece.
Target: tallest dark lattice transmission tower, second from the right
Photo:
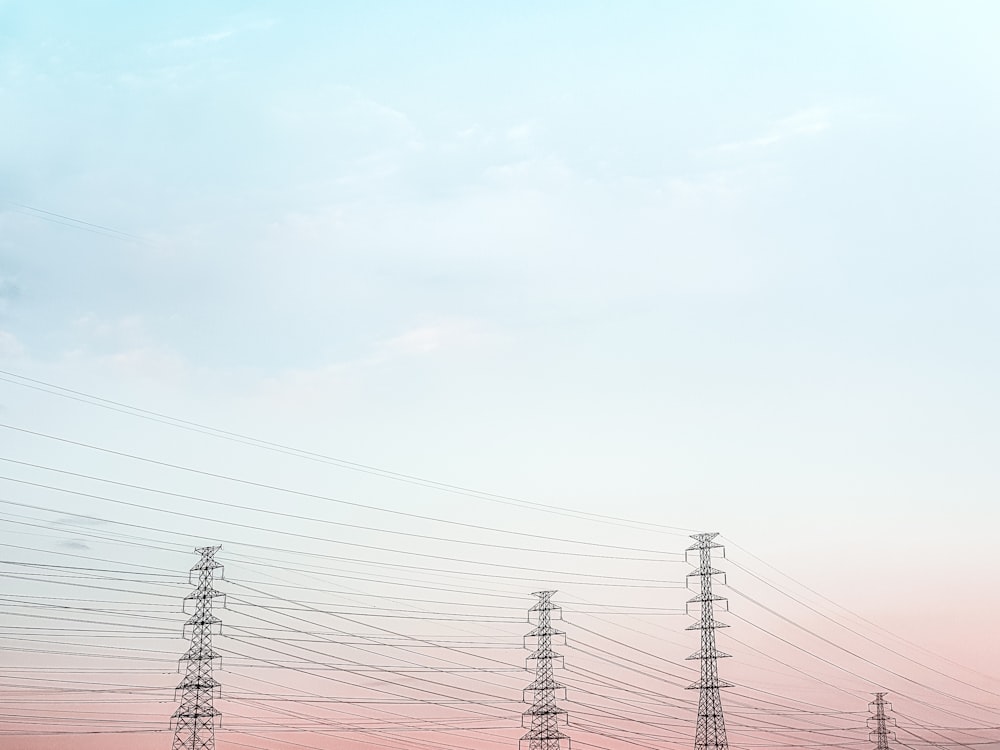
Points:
(710, 734)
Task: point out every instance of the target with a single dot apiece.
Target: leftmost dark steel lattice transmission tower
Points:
(194, 719)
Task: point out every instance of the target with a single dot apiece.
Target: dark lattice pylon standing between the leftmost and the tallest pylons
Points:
(544, 716)
